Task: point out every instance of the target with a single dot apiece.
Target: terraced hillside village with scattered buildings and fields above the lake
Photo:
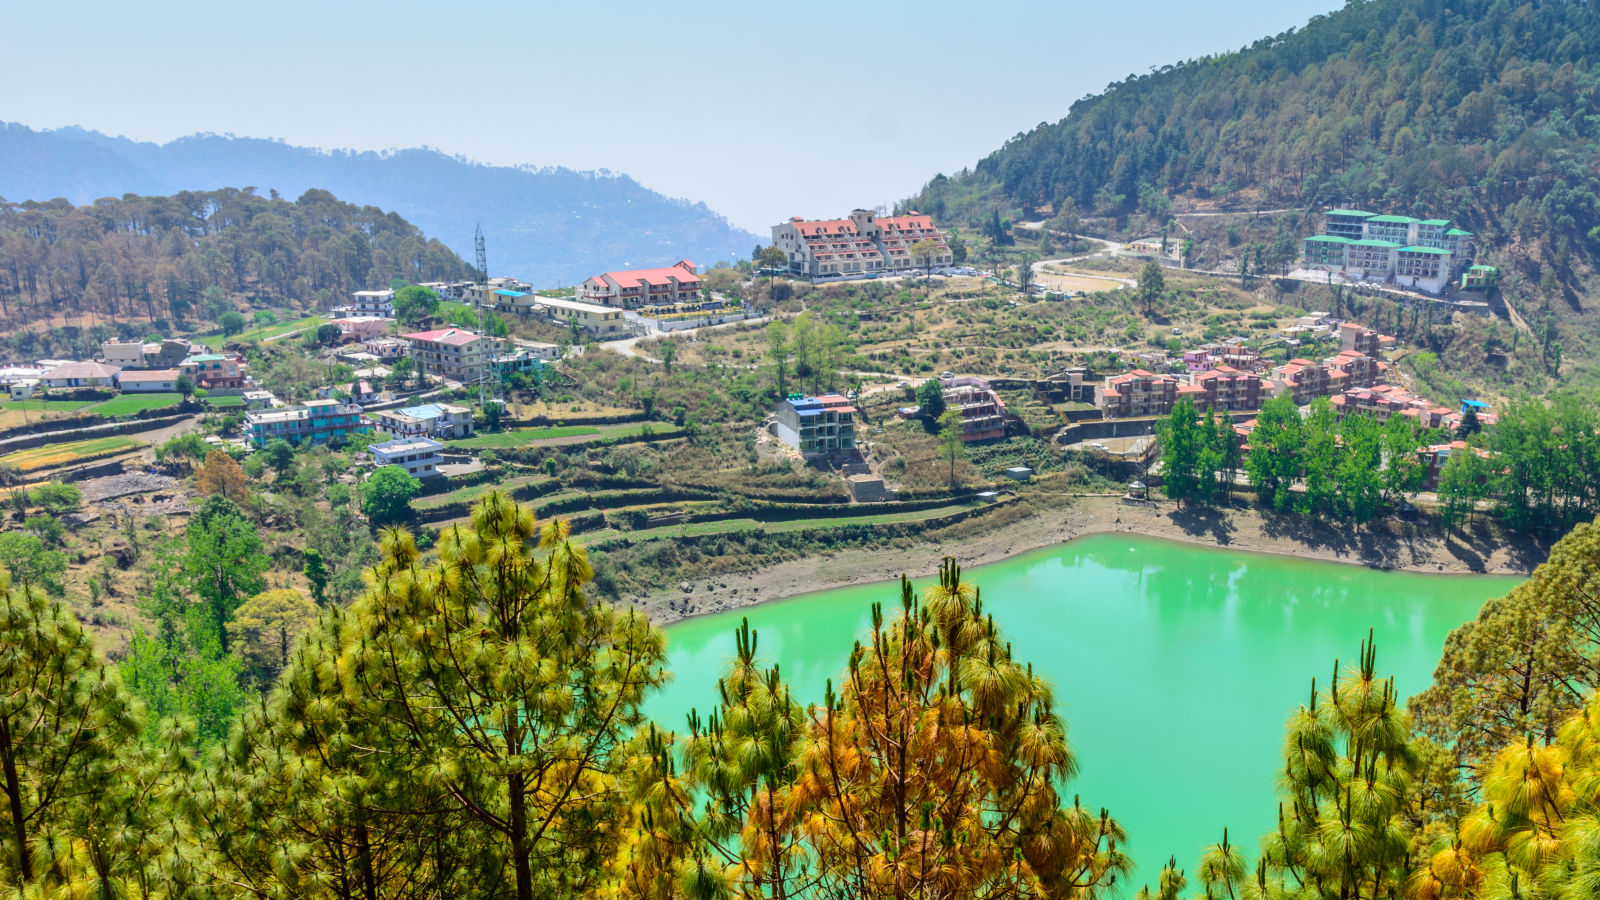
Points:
(543, 392)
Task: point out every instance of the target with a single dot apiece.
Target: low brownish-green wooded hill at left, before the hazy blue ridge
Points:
(198, 255)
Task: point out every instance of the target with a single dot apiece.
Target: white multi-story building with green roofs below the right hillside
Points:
(1415, 254)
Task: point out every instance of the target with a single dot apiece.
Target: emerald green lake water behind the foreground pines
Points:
(1175, 667)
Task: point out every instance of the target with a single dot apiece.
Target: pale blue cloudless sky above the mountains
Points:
(759, 110)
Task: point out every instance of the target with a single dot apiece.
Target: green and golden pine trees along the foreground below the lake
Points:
(473, 726)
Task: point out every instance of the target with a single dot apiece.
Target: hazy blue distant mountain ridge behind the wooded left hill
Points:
(545, 225)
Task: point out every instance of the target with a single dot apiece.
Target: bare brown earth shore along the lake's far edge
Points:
(1390, 545)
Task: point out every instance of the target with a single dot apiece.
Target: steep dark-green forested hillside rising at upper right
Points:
(1484, 111)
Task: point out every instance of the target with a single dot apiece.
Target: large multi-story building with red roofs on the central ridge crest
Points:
(862, 244)
